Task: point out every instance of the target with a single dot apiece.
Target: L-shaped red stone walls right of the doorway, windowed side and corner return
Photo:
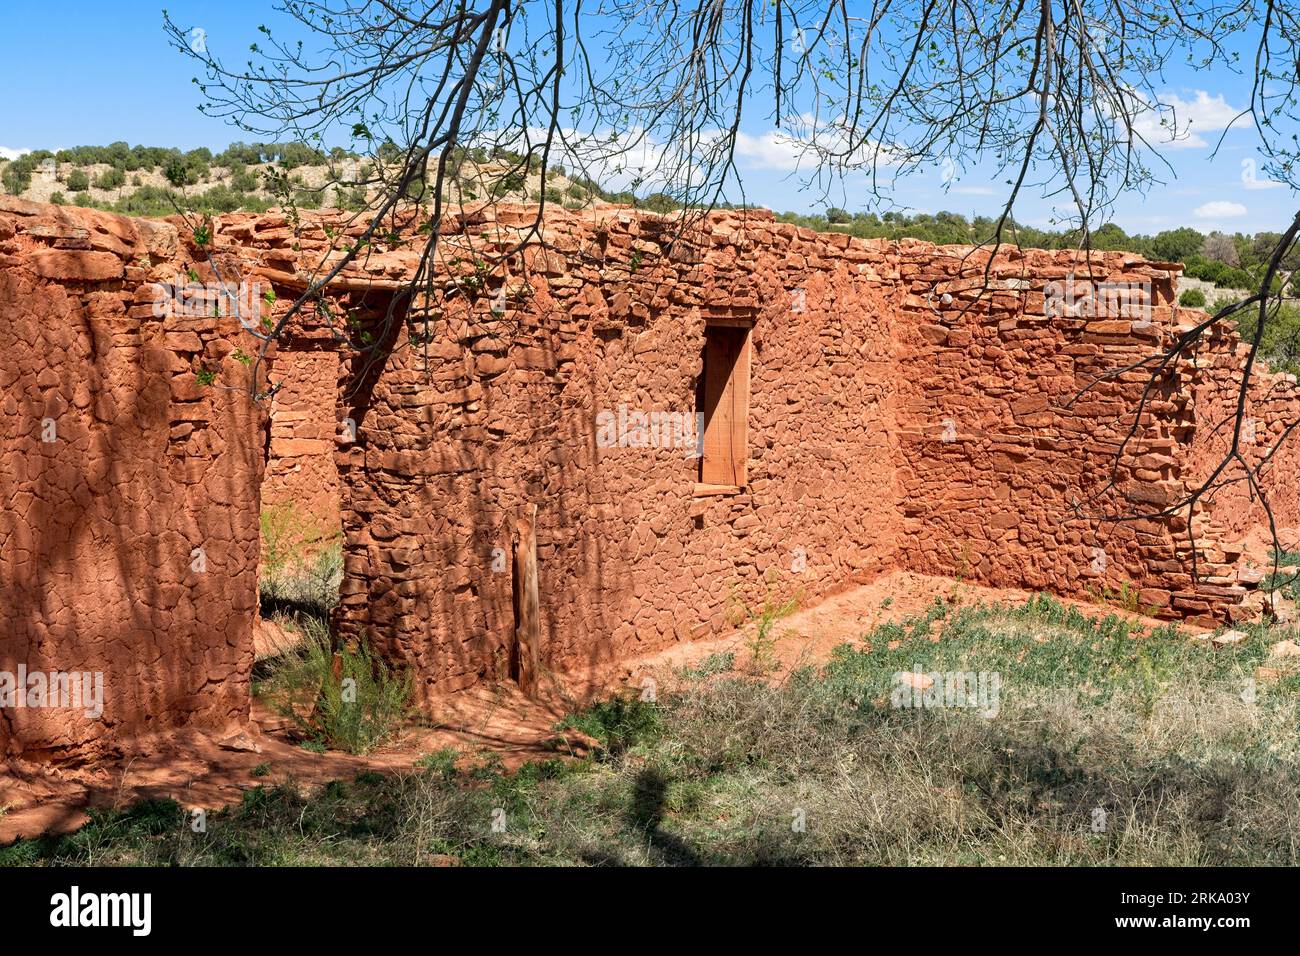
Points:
(889, 427)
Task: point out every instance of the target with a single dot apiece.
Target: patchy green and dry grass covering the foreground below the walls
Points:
(1154, 732)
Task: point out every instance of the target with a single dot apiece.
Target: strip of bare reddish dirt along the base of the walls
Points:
(198, 769)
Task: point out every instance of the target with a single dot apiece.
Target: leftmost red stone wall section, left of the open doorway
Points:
(116, 466)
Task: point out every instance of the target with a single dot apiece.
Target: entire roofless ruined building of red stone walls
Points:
(687, 422)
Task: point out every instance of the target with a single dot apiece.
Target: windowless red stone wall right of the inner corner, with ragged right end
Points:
(1017, 490)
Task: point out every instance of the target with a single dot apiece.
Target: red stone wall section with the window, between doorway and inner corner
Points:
(631, 557)
